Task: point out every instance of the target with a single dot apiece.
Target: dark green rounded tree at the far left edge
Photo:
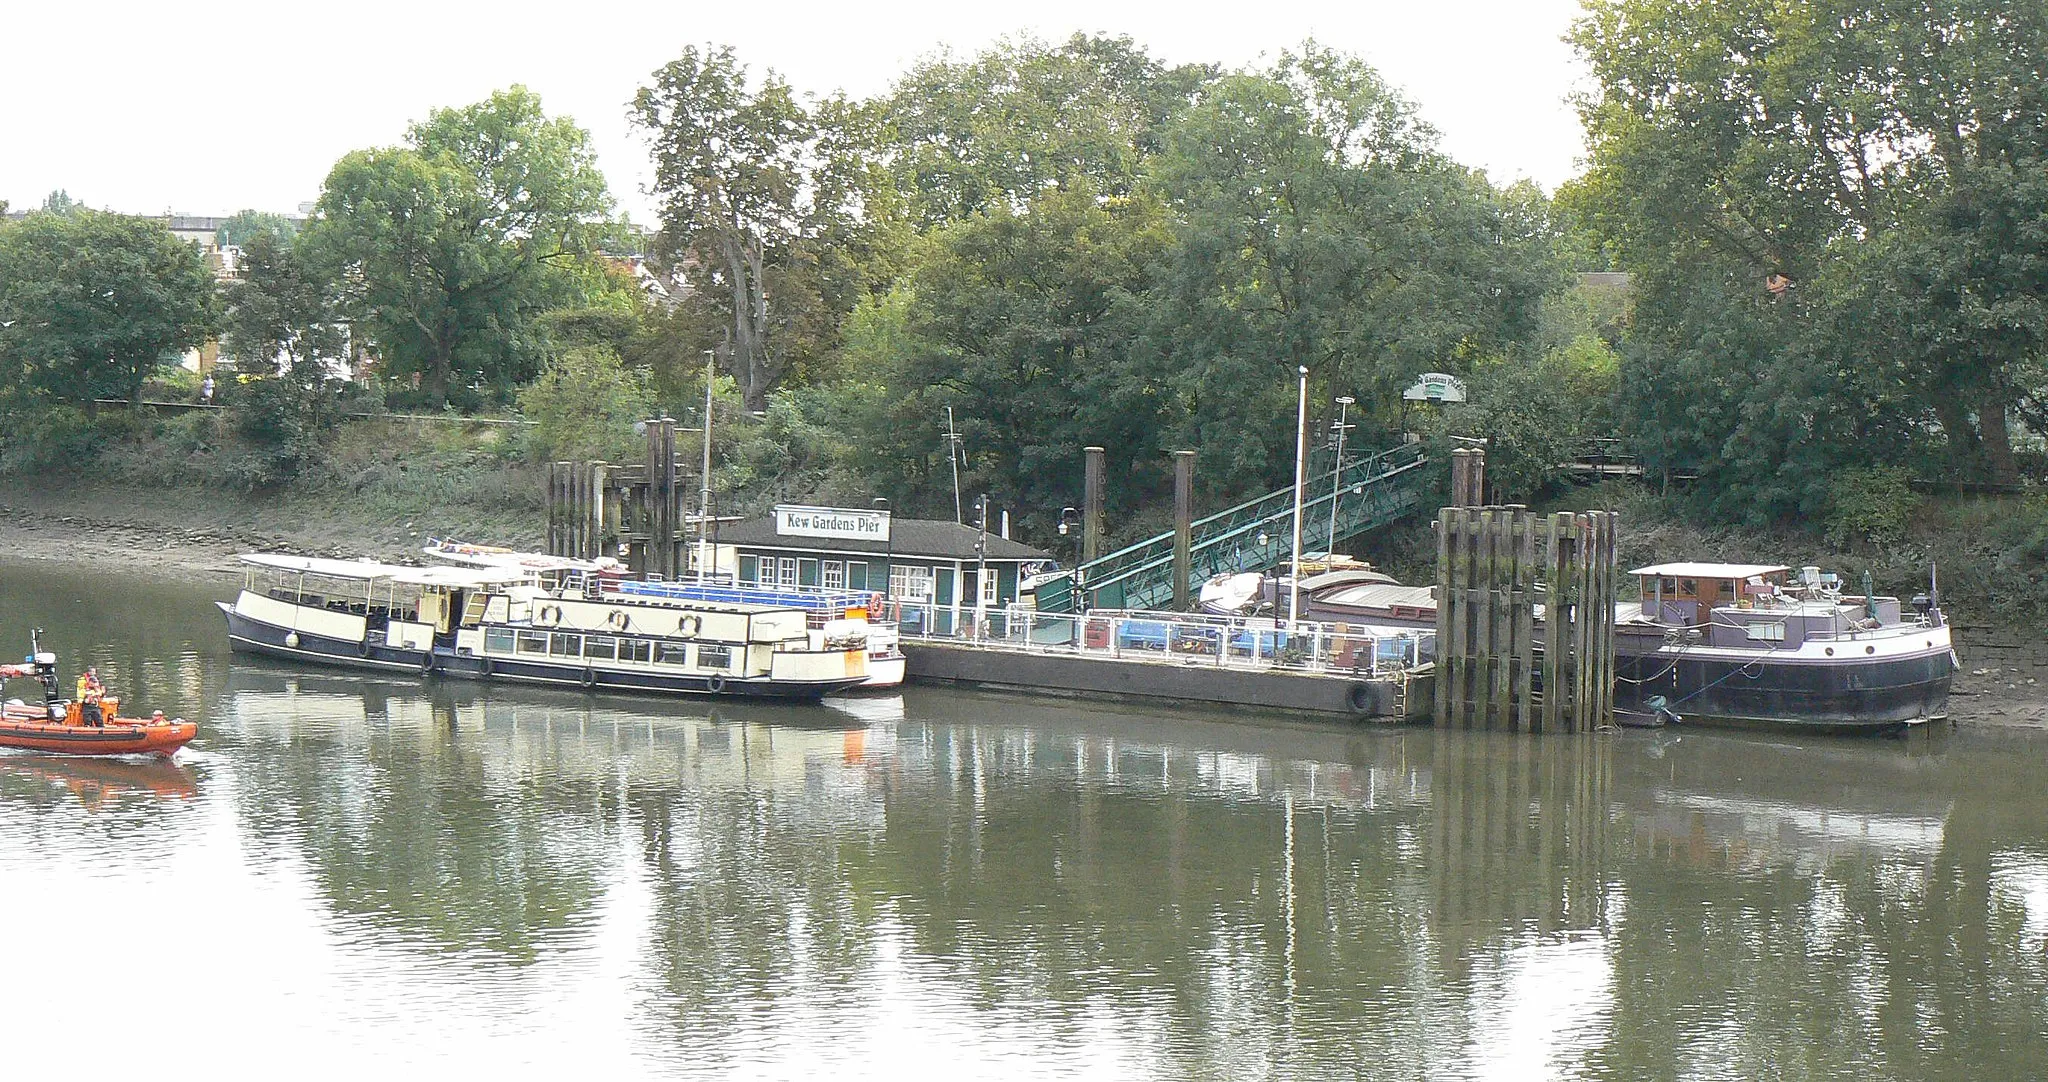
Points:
(93, 302)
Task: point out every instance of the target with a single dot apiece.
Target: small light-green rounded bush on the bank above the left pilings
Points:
(585, 405)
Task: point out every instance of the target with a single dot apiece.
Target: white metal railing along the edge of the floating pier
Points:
(1172, 638)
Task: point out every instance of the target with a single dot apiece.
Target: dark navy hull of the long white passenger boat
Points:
(247, 636)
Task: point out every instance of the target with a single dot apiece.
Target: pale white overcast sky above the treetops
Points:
(216, 106)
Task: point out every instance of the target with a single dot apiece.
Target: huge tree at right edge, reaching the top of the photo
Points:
(1826, 149)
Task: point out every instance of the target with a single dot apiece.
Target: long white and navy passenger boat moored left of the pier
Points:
(503, 624)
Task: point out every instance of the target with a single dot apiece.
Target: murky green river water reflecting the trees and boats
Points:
(351, 874)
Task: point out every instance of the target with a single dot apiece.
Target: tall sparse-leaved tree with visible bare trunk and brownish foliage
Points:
(771, 212)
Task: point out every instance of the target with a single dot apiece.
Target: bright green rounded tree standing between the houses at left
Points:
(454, 245)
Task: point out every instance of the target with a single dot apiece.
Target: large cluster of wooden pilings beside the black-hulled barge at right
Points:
(1496, 665)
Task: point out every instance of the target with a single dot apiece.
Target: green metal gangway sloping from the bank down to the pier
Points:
(1371, 493)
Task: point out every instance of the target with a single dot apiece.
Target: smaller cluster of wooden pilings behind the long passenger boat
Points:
(599, 509)
